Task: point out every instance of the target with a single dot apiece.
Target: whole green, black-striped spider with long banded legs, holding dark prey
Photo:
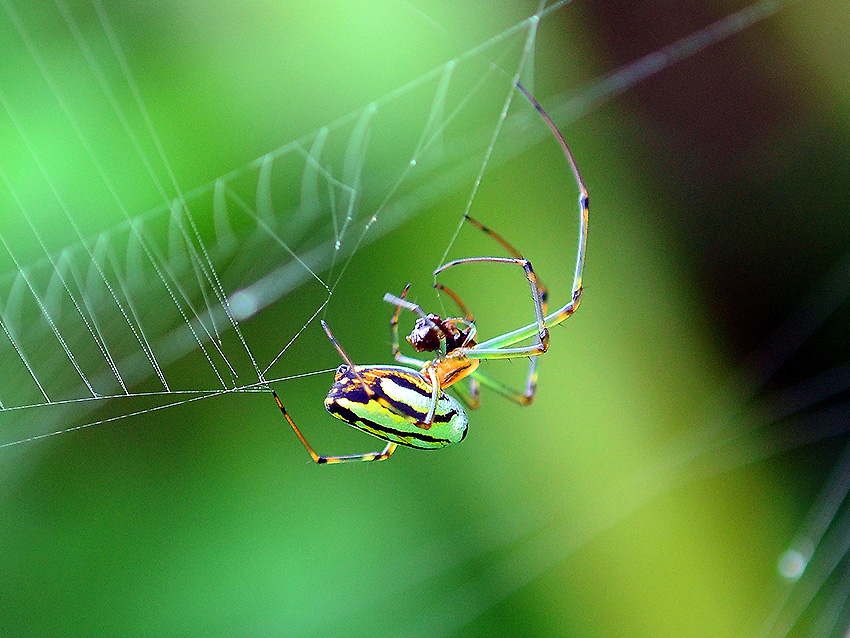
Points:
(408, 405)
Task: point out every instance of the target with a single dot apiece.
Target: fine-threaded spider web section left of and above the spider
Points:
(99, 320)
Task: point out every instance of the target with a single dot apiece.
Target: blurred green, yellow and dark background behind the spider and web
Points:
(660, 473)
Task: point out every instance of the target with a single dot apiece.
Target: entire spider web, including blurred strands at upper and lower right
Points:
(94, 322)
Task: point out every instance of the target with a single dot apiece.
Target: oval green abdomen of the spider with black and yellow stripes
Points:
(395, 407)
